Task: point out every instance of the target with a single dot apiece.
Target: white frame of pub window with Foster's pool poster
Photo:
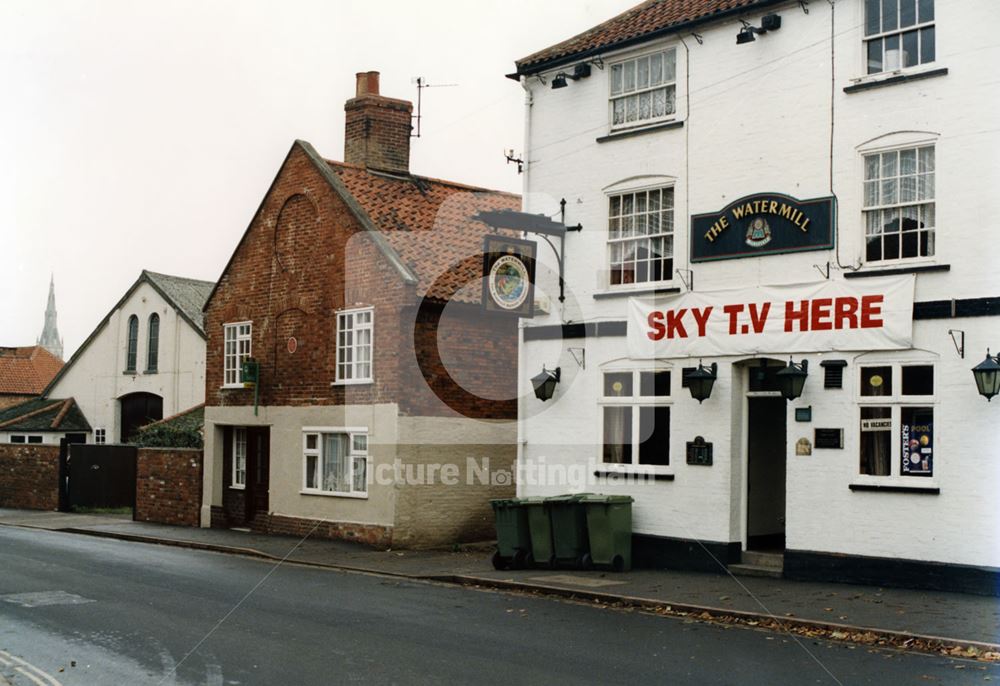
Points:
(896, 401)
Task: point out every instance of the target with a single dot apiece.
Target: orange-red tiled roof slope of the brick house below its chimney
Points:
(428, 222)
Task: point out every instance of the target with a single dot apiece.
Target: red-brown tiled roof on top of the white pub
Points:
(641, 20)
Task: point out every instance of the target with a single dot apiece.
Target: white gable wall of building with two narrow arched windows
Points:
(97, 378)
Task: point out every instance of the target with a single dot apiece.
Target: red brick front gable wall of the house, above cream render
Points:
(290, 274)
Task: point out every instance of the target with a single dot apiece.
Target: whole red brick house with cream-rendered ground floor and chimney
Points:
(356, 290)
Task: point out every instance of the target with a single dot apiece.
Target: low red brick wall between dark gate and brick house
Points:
(168, 486)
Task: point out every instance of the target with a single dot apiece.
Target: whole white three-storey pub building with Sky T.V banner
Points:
(787, 267)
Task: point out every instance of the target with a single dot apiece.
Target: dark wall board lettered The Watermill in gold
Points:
(763, 224)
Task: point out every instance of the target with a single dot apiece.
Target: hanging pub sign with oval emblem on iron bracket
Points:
(509, 276)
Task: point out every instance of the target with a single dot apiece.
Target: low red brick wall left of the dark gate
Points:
(29, 477)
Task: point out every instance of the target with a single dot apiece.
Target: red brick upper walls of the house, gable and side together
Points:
(303, 258)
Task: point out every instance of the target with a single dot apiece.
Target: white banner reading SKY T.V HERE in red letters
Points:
(877, 314)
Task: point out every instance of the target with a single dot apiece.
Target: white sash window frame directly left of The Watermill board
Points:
(617, 229)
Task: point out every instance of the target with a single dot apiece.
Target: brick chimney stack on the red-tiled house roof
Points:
(377, 131)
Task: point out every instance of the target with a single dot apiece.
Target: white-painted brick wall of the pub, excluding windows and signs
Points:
(760, 121)
